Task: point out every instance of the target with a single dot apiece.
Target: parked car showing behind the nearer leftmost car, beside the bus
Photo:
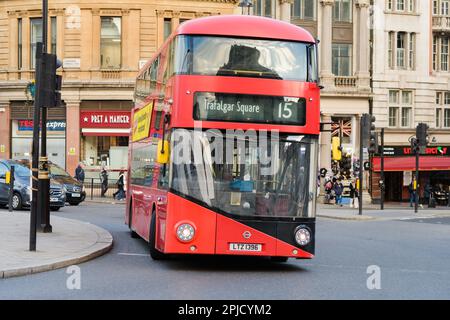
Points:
(74, 190)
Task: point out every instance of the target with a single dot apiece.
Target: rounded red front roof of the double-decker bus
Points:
(245, 26)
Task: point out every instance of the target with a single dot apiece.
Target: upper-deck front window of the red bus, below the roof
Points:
(242, 57)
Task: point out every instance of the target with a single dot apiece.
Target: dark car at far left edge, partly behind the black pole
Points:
(22, 187)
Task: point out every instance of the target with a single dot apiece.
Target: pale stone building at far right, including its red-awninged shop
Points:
(411, 84)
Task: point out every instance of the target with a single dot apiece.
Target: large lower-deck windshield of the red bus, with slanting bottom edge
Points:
(247, 175)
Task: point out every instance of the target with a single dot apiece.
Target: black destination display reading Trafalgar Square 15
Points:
(249, 108)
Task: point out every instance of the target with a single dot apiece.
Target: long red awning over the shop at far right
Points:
(409, 163)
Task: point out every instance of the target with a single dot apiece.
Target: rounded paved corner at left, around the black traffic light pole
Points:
(71, 242)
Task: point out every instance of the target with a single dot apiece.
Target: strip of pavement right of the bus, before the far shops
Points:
(374, 213)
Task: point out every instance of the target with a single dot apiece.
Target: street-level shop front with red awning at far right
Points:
(400, 167)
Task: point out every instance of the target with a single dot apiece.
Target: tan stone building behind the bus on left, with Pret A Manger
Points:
(102, 44)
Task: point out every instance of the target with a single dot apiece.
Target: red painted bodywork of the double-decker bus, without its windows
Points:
(214, 231)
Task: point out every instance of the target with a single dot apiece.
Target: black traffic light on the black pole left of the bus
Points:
(50, 82)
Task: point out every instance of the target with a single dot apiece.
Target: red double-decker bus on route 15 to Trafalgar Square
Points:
(224, 142)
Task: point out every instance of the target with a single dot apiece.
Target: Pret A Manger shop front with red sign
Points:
(104, 138)
